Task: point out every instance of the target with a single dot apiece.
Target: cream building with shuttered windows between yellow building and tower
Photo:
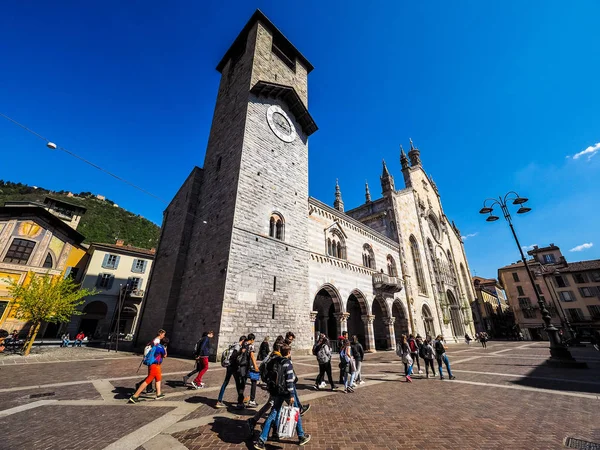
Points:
(120, 274)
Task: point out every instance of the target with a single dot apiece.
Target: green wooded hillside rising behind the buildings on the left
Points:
(104, 221)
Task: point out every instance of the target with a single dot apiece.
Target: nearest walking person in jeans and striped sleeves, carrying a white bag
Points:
(280, 383)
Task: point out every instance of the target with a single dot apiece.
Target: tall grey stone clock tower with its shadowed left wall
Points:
(246, 252)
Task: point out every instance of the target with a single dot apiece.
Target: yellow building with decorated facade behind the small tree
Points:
(36, 238)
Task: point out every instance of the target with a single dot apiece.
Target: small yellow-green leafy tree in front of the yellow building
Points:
(46, 299)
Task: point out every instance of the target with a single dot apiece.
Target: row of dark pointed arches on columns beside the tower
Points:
(376, 327)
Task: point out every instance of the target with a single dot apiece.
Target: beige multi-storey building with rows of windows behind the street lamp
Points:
(570, 290)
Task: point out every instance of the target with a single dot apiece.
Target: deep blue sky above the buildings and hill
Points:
(498, 96)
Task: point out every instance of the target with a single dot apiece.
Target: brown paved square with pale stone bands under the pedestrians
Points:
(504, 397)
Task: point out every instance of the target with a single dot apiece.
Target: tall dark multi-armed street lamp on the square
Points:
(559, 353)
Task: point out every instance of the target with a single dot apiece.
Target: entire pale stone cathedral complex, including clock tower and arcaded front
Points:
(244, 248)
